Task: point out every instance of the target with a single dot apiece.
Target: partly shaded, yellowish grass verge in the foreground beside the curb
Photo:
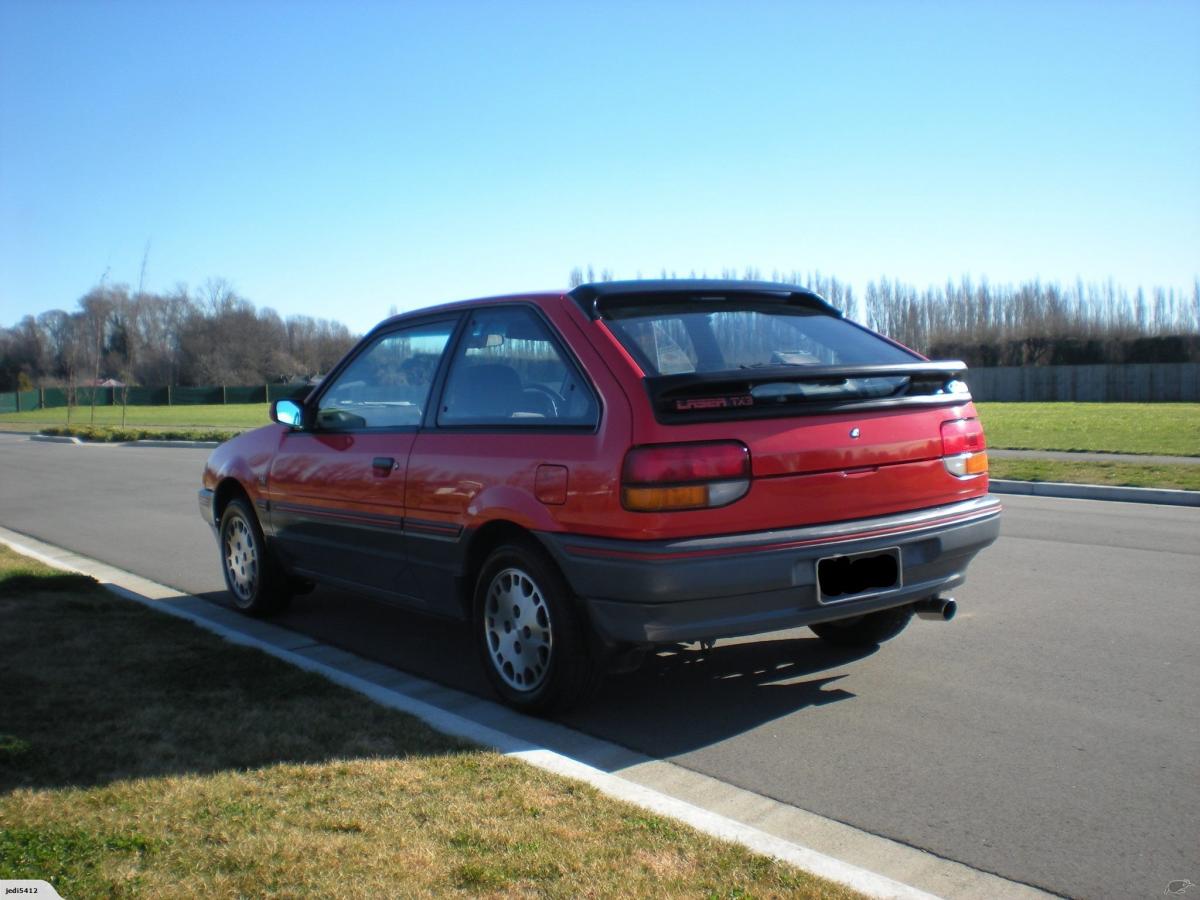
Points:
(141, 757)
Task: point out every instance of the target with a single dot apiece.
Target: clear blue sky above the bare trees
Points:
(343, 159)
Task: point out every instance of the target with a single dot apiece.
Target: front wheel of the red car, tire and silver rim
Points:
(256, 584)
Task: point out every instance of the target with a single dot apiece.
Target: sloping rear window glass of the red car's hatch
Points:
(704, 338)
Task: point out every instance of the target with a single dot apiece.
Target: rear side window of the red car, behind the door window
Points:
(509, 371)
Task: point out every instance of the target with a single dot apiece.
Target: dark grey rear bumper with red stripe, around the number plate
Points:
(659, 592)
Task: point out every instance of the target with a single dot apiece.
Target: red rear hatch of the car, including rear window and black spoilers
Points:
(839, 422)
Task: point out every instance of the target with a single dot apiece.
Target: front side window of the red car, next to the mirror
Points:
(388, 385)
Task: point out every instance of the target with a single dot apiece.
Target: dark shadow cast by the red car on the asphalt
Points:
(682, 699)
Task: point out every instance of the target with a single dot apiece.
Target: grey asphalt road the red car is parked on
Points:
(1051, 734)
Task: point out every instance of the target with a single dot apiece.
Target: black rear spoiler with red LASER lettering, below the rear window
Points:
(707, 397)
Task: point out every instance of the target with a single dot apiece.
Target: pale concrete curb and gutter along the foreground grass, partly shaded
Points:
(656, 785)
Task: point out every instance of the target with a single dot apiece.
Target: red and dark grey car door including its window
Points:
(337, 489)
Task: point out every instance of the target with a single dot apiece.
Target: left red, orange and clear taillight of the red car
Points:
(674, 477)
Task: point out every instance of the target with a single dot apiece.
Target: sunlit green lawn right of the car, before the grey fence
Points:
(1169, 429)
